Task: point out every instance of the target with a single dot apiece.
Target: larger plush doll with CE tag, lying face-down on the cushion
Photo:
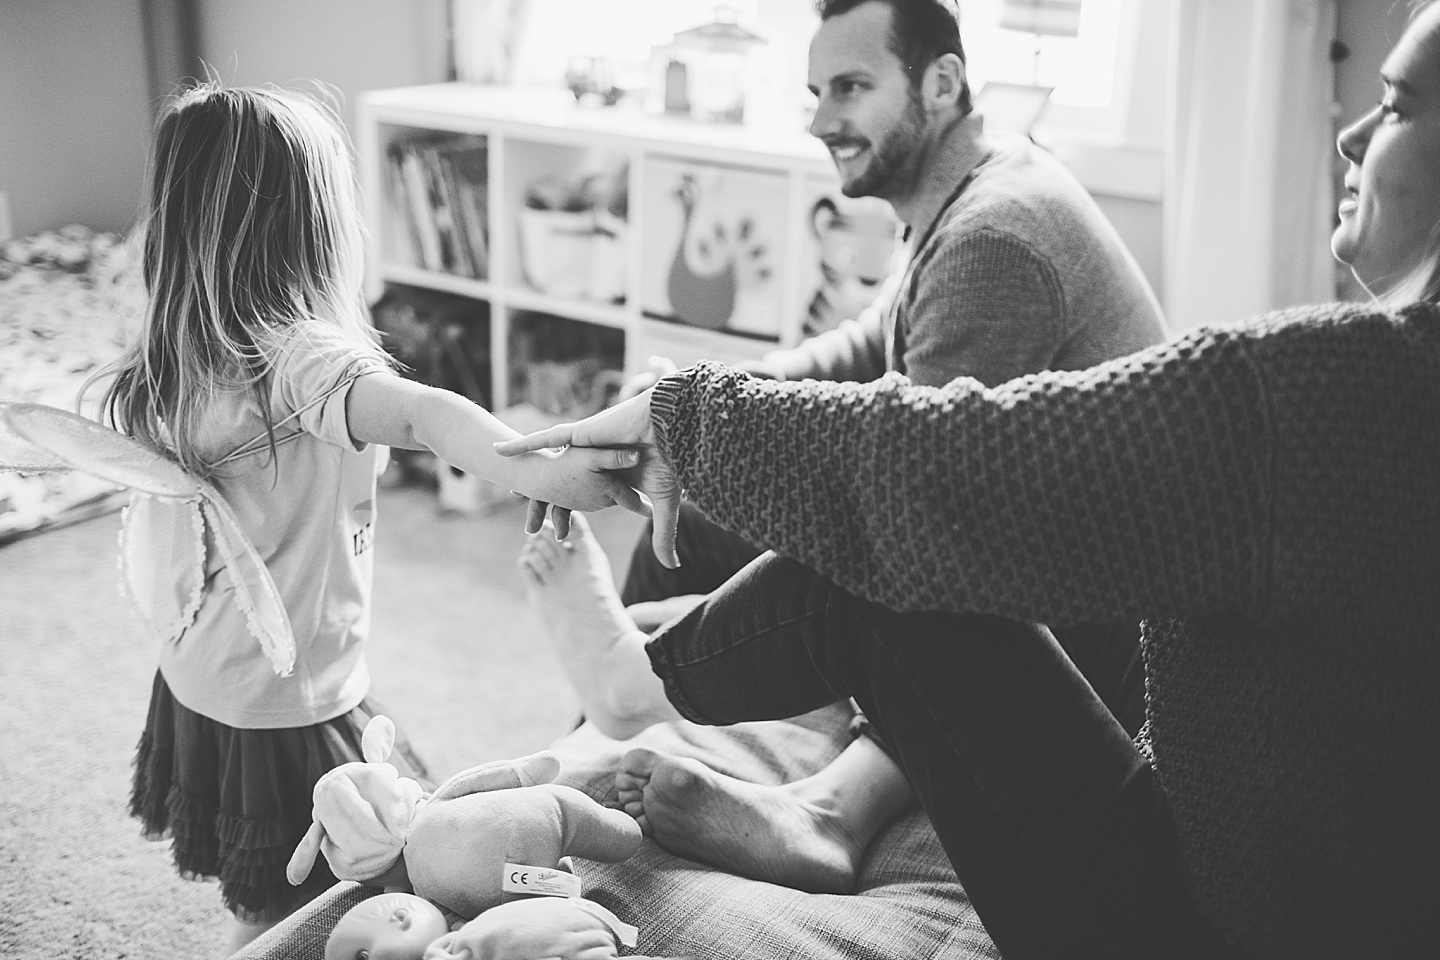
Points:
(487, 836)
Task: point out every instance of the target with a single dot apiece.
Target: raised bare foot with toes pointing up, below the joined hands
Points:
(601, 650)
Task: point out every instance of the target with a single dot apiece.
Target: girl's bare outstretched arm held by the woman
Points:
(384, 408)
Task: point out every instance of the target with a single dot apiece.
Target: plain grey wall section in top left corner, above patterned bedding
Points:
(74, 112)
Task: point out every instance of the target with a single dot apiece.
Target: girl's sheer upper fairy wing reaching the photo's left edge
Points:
(68, 440)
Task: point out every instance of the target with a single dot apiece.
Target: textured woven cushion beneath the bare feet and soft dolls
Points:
(906, 902)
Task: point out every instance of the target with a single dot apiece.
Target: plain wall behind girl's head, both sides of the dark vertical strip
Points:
(76, 90)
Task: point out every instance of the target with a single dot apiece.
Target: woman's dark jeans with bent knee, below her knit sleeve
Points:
(1046, 808)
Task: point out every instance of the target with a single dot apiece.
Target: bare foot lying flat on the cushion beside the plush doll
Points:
(775, 834)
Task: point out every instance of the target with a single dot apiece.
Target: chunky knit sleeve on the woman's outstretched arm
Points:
(1137, 489)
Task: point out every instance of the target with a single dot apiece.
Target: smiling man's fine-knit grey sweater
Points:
(1020, 273)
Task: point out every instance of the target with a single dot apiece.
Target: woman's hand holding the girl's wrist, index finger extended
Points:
(626, 427)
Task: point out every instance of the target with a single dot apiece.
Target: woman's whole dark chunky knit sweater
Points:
(1262, 497)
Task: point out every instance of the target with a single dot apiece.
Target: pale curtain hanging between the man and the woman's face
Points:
(1249, 199)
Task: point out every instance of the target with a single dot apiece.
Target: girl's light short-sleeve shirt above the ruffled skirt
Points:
(310, 513)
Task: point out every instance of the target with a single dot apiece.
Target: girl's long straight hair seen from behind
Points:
(253, 225)
